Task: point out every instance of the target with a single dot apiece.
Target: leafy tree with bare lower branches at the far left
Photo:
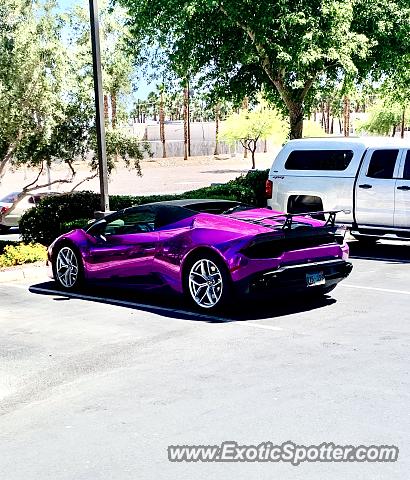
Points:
(46, 101)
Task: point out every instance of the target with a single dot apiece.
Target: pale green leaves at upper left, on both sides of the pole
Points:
(47, 111)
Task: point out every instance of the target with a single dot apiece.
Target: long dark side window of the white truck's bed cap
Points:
(319, 160)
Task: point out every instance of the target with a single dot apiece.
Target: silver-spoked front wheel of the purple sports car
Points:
(67, 268)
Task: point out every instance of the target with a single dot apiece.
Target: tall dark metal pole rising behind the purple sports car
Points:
(99, 106)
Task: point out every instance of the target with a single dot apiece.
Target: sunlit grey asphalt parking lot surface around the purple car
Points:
(98, 386)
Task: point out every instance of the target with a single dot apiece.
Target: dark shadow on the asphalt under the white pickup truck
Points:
(394, 252)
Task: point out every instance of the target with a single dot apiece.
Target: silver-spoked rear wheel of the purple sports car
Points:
(207, 282)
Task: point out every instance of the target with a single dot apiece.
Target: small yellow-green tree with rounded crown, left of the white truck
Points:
(248, 127)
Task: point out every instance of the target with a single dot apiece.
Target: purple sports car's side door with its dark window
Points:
(124, 249)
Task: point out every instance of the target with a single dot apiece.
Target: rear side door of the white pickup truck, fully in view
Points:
(375, 188)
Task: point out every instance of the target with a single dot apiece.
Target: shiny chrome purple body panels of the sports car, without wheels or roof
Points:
(133, 258)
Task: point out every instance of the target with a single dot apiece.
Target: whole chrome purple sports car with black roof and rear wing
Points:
(208, 250)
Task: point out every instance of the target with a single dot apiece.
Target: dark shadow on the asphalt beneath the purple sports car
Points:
(173, 306)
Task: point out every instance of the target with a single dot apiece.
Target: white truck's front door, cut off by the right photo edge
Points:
(402, 193)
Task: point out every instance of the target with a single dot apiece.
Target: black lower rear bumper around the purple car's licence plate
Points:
(292, 278)
